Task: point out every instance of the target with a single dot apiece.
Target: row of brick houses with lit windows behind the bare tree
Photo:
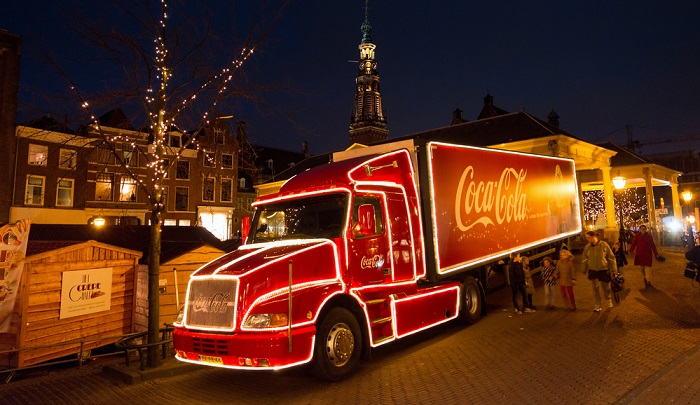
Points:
(105, 175)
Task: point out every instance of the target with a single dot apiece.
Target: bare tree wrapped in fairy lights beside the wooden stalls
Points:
(170, 95)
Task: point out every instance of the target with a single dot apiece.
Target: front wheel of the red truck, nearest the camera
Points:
(338, 345)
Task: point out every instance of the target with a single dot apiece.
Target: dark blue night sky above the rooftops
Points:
(600, 65)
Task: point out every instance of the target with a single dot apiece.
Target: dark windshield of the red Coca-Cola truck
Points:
(315, 217)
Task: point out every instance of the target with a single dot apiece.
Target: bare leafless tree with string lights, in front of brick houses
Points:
(167, 73)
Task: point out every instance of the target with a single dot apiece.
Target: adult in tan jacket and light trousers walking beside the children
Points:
(599, 262)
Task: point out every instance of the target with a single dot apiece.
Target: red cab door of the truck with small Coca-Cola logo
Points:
(369, 253)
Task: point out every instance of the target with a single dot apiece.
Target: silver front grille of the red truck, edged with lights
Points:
(211, 304)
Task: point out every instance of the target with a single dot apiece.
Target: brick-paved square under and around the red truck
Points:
(644, 350)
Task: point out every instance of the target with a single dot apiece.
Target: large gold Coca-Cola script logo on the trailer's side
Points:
(493, 201)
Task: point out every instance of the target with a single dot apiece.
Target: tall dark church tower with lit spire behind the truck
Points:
(368, 122)
